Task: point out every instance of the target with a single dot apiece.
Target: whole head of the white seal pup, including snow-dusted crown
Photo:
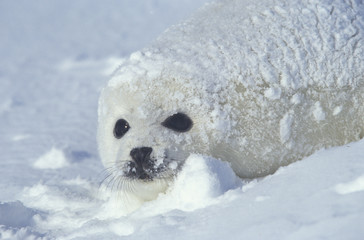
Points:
(148, 126)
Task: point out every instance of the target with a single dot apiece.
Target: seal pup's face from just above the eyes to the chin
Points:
(142, 144)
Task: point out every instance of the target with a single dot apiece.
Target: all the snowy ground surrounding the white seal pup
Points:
(55, 56)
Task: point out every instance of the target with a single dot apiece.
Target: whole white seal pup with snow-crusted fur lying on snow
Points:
(257, 84)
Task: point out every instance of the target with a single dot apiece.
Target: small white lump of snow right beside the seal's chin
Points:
(202, 180)
